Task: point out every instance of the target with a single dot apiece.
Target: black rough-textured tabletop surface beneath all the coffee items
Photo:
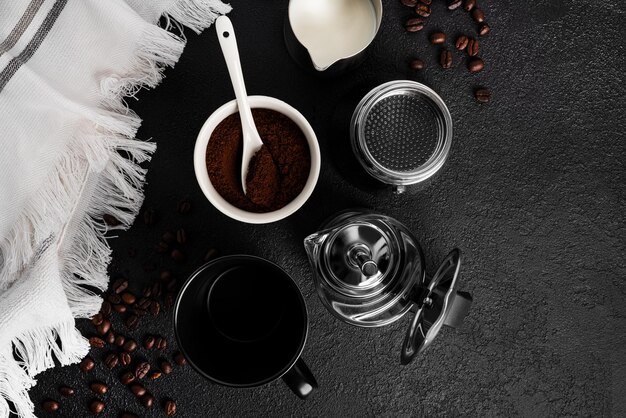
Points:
(533, 193)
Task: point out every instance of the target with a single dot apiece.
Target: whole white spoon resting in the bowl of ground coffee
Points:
(251, 139)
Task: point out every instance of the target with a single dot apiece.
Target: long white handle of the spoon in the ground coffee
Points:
(228, 43)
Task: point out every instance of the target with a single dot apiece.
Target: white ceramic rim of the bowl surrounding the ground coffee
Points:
(202, 175)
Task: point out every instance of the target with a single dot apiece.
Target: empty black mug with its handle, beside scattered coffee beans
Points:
(241, 321)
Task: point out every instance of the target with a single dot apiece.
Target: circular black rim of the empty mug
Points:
(297, 355)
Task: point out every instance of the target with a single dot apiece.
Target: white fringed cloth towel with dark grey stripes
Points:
(67, 157)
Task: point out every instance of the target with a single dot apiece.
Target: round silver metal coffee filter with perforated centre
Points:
(401, 132)
